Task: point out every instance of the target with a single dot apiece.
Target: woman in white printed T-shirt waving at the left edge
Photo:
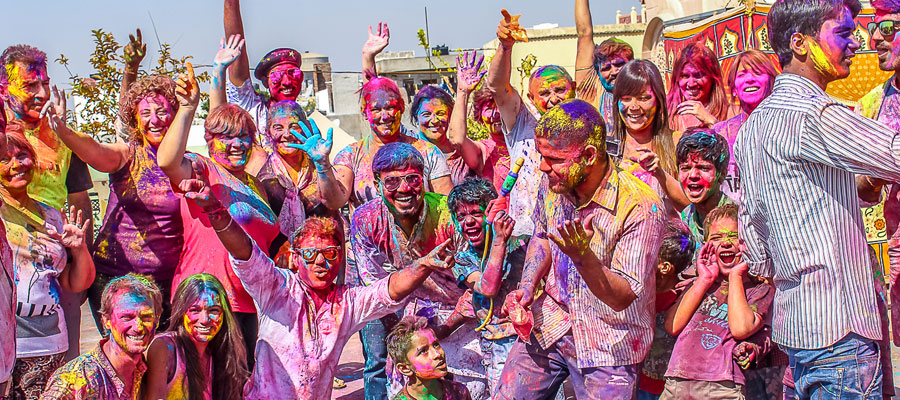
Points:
(49, 255)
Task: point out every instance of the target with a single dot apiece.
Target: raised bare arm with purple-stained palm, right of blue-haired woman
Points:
(467, 78)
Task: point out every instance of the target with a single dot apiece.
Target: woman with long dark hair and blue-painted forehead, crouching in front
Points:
(202, 355)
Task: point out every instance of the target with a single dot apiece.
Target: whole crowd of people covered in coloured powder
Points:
(696, 238)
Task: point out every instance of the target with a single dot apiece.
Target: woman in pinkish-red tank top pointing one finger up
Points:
(230, 132)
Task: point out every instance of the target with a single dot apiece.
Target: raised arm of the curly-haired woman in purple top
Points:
(107, 158)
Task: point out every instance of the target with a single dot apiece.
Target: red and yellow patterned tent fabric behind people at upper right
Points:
(730, 33)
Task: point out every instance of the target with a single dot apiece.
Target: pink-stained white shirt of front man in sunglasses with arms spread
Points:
(299, 346)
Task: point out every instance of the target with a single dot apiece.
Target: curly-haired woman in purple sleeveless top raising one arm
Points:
(142, 230)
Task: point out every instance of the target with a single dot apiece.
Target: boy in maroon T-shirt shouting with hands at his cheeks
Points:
(722, 306)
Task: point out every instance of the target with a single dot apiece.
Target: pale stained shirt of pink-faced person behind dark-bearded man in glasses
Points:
(358, 158)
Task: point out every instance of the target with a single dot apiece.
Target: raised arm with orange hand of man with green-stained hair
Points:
(507, 99)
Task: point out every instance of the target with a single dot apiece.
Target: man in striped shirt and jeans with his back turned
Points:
(800, 219)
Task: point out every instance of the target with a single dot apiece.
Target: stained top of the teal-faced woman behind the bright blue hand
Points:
(291, 200)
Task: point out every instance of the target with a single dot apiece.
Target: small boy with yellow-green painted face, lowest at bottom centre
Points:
(419, 356)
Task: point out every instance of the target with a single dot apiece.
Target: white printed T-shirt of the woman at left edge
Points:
(38, 261)
